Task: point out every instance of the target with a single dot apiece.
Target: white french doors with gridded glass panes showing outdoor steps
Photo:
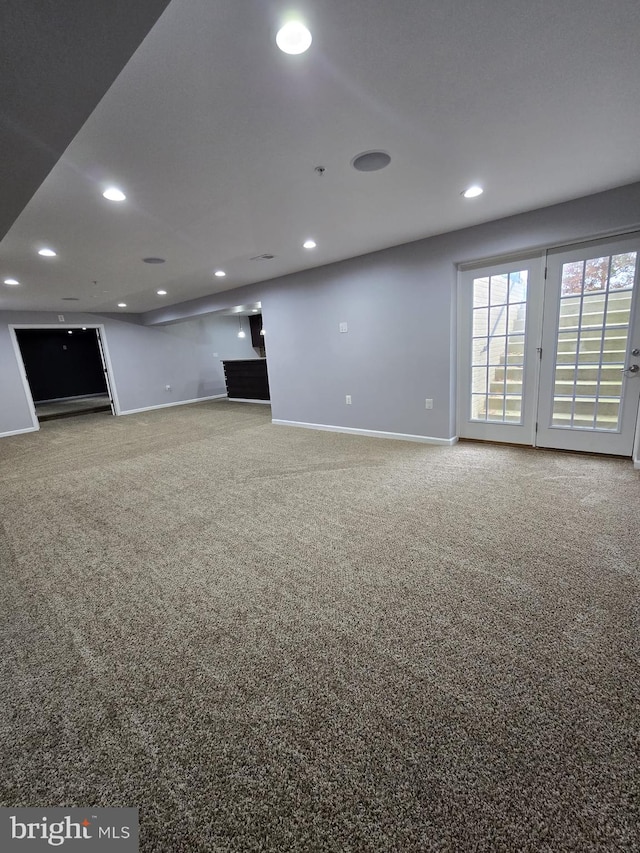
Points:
(553, 360)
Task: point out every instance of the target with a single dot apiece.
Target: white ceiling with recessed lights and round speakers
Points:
(214, 135)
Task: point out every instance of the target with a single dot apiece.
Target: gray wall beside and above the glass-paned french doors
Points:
(400, 305)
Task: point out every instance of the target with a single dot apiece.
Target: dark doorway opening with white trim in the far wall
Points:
(65, 371)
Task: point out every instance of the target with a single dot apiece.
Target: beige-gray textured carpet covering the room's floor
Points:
(272, 639)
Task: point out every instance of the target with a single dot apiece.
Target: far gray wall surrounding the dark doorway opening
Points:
(144, 360)
